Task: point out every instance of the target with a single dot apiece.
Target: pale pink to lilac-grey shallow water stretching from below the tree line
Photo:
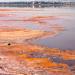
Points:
(65, 18)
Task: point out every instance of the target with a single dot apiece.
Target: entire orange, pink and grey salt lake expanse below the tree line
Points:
(35, 48)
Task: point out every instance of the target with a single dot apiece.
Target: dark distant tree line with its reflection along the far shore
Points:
(37, 4)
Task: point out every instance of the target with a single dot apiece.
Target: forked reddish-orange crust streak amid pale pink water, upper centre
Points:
(40, 19)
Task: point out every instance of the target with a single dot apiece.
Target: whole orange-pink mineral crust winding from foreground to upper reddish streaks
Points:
(20, 57)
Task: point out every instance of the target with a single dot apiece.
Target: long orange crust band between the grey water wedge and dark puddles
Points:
(26, 48)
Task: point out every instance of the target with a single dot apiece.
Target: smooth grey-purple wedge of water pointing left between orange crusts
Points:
(64, 40)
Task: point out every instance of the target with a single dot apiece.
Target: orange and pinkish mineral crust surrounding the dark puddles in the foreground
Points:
(20, 54)
